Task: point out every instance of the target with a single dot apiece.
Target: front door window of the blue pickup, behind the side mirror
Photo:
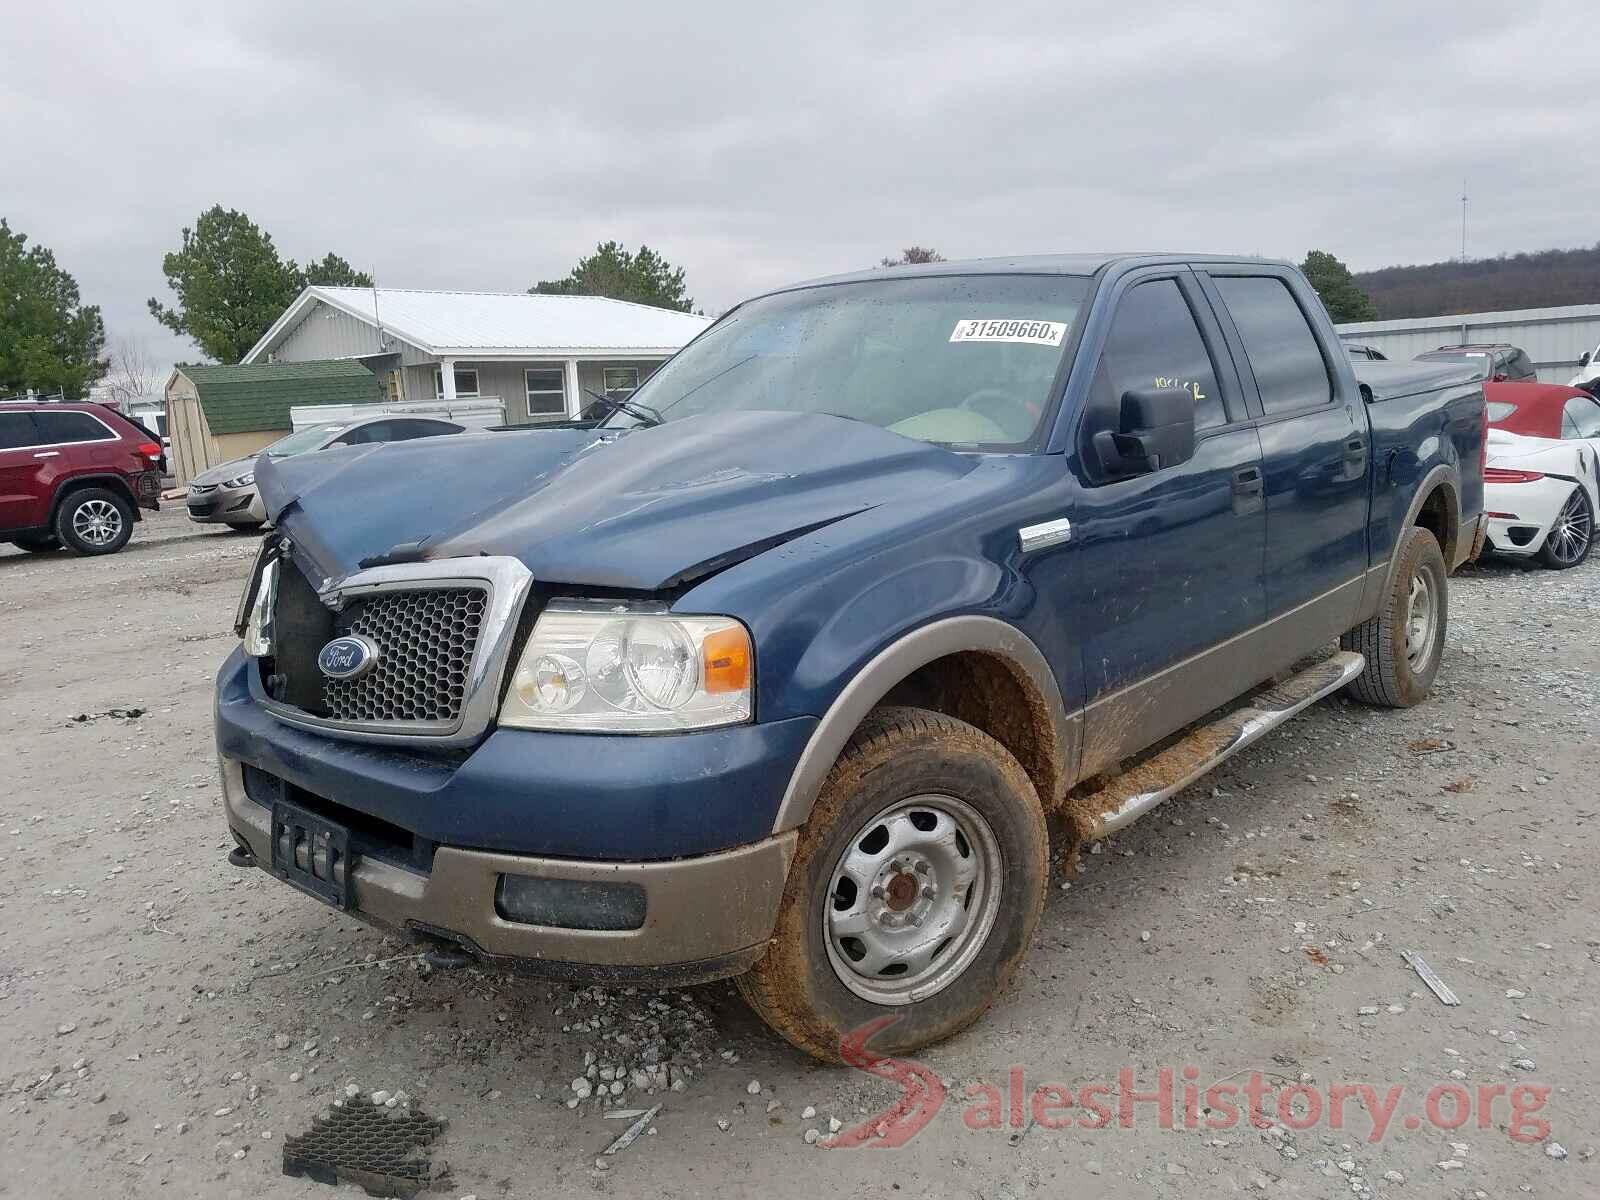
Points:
(1154, 342)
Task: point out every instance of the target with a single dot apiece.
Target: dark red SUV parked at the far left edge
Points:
(74, 476)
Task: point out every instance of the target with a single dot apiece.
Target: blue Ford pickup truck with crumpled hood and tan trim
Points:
(780, 670)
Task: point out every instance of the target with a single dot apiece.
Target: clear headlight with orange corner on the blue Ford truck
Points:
(612, 668)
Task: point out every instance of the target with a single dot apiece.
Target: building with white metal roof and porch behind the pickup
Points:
(538, 356)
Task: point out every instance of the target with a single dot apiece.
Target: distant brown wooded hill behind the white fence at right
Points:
(1538, 281)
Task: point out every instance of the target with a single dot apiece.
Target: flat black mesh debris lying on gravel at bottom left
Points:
(383, 1151)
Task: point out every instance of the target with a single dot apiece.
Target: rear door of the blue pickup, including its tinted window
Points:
(1314, 449)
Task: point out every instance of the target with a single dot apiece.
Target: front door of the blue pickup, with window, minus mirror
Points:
(1169, 564)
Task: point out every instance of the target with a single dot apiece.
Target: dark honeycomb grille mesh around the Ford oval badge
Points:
(426, 641)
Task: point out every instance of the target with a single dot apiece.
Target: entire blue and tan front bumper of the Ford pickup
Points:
(687, 818)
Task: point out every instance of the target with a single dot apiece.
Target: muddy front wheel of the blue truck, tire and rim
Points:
(916, 889)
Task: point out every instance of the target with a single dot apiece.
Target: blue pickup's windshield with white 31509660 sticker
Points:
(951, 359)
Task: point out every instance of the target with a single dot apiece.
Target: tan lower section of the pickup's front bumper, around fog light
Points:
(705, 918)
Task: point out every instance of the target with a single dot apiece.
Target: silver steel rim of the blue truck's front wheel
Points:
(913, 900)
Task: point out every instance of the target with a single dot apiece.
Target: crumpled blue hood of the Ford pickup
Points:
(642, 510)
